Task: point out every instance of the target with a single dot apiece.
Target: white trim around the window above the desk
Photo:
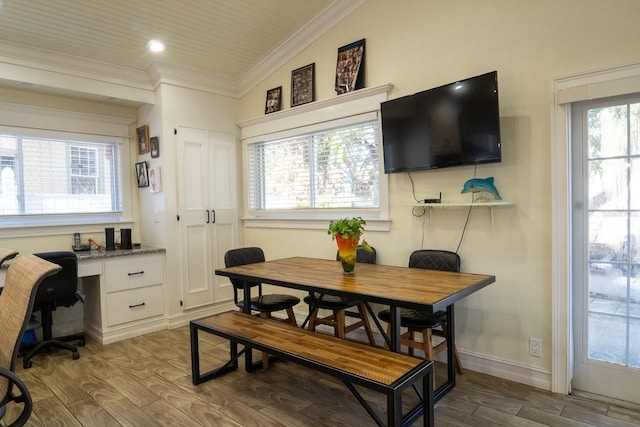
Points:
(52, 122)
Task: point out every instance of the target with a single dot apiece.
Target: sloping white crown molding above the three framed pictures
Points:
(297, 42)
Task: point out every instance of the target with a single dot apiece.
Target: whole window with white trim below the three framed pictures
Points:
(315, 162)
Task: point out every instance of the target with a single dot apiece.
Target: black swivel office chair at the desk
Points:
(60, 290)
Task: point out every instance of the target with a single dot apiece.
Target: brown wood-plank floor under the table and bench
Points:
(146, 381)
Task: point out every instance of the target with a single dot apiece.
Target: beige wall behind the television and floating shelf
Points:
(419, 44)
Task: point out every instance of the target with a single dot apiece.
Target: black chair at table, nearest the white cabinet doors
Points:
(265, 305)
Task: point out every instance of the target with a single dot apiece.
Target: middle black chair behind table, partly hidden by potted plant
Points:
(340, 306)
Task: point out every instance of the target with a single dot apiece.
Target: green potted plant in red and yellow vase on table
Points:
(347, 232)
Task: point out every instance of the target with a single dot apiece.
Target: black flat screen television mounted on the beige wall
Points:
(452, 125)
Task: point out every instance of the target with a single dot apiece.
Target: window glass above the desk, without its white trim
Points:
(58, 176)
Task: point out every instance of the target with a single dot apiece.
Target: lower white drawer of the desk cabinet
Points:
(134, 304)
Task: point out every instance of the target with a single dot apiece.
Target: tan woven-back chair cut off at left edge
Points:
(16, 301)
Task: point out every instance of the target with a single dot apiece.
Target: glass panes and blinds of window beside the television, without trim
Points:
(326, 169)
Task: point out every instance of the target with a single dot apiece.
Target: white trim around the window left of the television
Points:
(351, 104)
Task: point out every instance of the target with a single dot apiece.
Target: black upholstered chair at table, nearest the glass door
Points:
(427, 324)
